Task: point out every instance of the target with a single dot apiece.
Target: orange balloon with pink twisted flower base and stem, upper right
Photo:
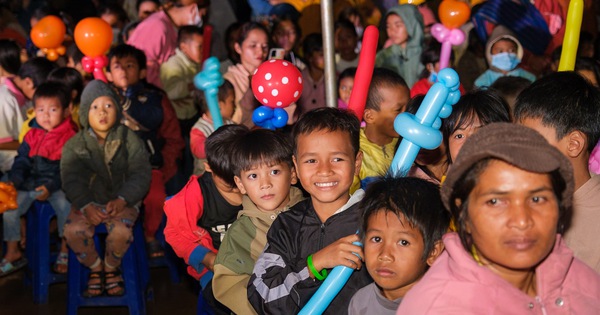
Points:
(453, 14)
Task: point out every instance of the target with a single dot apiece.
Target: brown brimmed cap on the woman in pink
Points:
(515, 144)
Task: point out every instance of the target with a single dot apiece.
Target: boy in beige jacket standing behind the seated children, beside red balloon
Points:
(177, 75)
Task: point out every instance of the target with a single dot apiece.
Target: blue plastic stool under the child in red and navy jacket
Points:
(38, 251)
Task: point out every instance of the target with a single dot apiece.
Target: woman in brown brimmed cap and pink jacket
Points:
(510, 193)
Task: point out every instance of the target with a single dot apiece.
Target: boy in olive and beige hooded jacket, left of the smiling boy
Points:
(264, 174)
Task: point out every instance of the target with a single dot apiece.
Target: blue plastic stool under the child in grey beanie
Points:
(135, 275)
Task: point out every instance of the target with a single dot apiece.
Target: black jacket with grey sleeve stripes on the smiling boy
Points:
(280, 283)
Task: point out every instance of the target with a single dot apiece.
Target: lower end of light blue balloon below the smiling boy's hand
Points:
(328, 290)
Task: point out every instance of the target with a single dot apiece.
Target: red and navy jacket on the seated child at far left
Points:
(38, 158)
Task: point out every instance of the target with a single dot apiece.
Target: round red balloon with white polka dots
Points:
(277, 83)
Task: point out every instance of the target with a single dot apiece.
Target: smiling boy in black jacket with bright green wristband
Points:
(316, 234)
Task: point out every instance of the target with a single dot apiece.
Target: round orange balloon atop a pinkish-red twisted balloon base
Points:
(93, 36)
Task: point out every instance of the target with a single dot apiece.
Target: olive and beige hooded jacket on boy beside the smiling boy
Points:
(244, 242)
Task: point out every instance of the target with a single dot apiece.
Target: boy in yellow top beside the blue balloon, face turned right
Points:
(388, 97)
